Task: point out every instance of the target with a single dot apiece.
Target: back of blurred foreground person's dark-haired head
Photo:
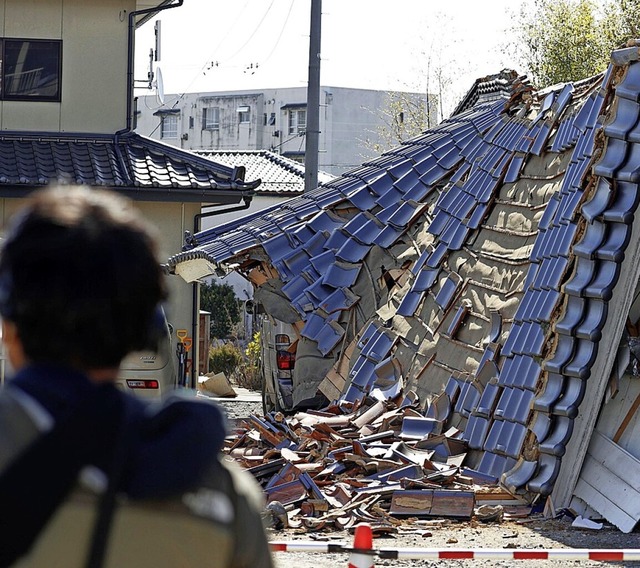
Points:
(80, 278)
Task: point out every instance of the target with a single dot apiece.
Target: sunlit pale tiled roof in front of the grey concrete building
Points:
(279, 175)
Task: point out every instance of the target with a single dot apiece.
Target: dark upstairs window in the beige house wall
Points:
(31, 70)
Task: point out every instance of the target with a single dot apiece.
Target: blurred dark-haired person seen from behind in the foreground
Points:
(89, 475)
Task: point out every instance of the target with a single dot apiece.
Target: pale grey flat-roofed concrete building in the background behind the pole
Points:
(274, 121)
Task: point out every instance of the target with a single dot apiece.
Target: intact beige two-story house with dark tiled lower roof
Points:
(66, 115)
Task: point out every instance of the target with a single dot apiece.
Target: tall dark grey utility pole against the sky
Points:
(313, 100)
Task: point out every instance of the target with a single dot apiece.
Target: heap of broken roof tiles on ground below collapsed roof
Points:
(380, 462)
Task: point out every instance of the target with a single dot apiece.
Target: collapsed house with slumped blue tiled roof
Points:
(487, 271)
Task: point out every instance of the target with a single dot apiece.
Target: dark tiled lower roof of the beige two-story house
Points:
(129, 163)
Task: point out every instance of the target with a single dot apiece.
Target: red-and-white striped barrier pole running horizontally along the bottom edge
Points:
(602, 555)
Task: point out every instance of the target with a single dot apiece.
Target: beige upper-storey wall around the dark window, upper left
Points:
(94, 63)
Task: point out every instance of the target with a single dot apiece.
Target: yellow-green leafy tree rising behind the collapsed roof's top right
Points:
(569, 40)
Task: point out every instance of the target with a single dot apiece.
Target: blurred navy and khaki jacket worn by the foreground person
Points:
(57, 427)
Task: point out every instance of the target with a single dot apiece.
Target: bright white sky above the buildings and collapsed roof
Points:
(219, 45)
